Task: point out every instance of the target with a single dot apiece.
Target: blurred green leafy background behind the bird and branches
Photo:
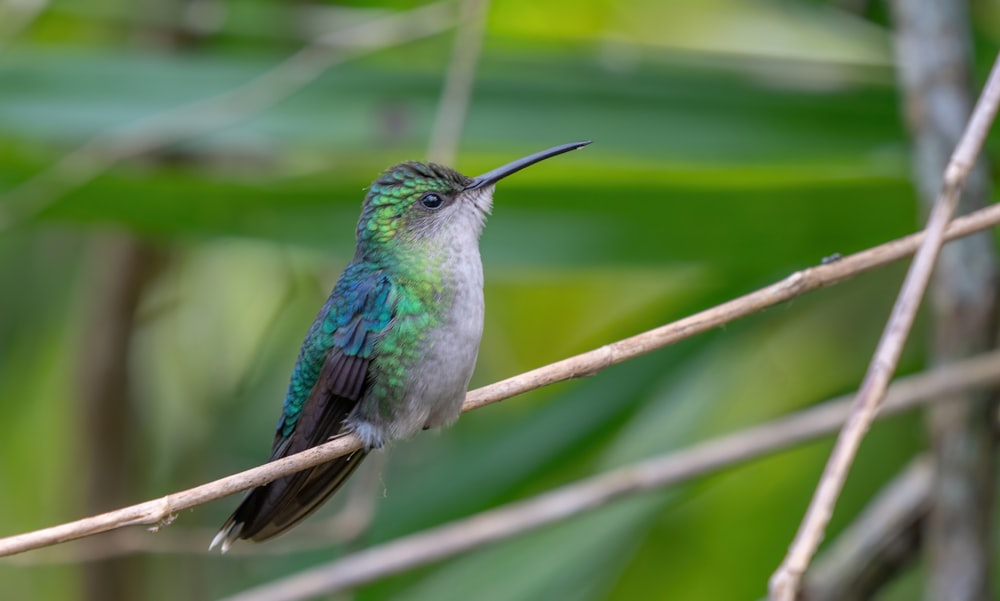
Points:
(734, 142)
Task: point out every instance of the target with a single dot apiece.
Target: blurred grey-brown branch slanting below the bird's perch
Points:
(515, 518)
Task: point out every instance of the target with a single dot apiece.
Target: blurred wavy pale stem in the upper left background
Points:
(224, 110)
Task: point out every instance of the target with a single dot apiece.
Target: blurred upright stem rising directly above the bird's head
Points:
(454, 102)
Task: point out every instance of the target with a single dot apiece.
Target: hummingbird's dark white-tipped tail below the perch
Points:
(270, 510)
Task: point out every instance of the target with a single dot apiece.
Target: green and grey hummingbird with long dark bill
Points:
(392, 350)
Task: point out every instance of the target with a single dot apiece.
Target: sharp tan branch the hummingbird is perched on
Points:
(157, 510)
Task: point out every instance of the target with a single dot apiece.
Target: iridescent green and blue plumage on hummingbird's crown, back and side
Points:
(392, 282)
